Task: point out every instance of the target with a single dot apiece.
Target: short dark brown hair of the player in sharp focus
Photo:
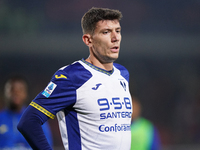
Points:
(94, 15)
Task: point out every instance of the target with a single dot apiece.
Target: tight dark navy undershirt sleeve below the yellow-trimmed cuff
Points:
(30, 126)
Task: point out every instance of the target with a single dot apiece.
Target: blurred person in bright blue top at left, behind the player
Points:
(16, 92)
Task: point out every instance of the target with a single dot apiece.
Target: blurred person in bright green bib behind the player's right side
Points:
(144, 135)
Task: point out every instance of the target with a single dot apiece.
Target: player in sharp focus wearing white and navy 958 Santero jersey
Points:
(90, 97)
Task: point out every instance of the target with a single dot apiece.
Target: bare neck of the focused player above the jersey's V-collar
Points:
(97, 63)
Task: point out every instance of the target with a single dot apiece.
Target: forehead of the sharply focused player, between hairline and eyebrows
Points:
(106, 24)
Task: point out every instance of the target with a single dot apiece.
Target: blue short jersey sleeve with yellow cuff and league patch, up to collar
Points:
(60, 93)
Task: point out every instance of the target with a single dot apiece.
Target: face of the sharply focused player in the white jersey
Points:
(106, 40)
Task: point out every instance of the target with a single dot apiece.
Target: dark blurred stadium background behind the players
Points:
(160, 47)
